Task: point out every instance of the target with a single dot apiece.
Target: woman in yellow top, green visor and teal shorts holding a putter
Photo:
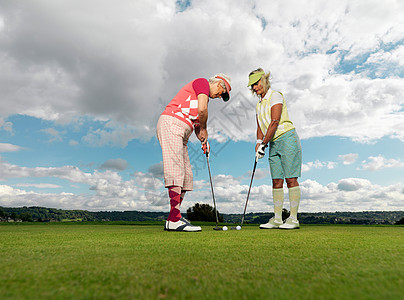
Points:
(276, 130)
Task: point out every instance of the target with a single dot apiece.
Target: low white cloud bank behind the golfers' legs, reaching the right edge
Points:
(350, 194)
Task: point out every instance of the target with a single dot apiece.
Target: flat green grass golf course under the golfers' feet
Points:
(68, 261)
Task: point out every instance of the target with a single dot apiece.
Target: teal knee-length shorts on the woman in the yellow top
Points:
(285, 156)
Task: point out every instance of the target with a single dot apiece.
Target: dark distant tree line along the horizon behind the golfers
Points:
(199, 212)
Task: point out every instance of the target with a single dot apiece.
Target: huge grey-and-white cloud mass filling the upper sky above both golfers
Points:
(146, 52)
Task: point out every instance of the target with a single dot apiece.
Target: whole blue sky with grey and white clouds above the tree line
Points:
(81, 92)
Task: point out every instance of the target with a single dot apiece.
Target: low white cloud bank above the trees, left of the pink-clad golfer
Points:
(106, 190)
